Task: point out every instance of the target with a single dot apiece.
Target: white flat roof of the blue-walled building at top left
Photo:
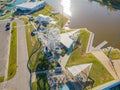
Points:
(30, 5)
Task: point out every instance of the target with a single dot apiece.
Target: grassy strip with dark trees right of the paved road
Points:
(38, 60)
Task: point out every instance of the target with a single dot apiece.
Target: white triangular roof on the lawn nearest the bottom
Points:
(79, 68)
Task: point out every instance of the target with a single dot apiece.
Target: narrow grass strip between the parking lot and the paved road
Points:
(12, 67)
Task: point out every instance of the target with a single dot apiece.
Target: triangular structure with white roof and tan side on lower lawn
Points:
(80, 72)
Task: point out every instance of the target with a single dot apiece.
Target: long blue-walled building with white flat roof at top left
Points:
(30, 7)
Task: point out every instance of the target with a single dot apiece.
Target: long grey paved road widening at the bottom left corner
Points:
(21, 79)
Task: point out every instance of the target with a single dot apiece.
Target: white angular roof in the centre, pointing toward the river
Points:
(66, 40)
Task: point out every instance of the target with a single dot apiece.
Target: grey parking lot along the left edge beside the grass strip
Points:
(4, 46)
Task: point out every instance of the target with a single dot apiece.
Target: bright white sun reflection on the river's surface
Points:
(66, 4)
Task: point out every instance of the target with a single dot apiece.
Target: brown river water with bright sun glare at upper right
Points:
(104, 21)
